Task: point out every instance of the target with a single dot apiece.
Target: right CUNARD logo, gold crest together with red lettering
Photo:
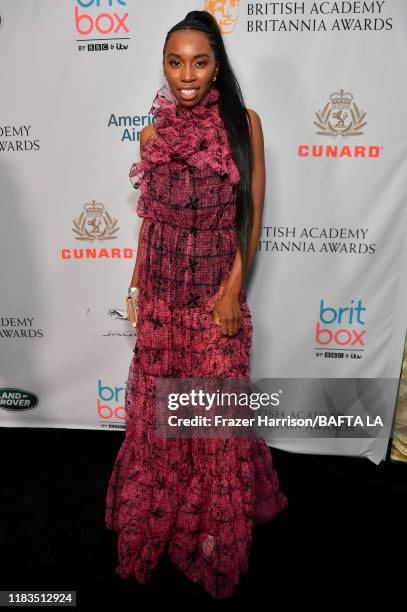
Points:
(340, 116)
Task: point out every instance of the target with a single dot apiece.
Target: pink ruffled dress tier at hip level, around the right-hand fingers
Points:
(186, 342)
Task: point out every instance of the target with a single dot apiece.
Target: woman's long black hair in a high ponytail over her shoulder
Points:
(235, 117)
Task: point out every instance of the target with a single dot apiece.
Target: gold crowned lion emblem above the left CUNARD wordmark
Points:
(95, 223)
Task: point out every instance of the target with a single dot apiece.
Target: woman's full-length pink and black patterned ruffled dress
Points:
(190, 497)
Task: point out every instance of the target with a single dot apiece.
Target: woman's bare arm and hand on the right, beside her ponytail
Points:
(227, 313)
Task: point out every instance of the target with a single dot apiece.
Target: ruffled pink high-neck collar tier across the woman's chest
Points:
(195, 137)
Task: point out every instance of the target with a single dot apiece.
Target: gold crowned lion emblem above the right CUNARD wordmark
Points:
(340, 116)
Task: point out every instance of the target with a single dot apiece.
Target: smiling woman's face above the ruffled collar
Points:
(189, 66)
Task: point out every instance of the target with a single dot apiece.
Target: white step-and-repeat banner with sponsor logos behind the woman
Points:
(328, 290)
